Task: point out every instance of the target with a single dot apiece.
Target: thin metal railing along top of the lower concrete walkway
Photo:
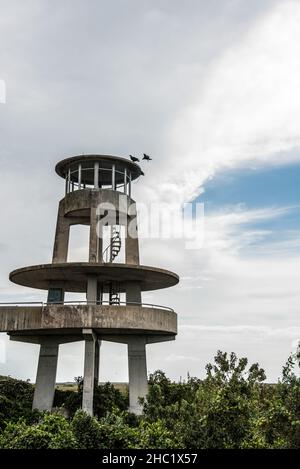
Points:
(85, 302)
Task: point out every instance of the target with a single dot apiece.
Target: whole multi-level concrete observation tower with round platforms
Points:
(98, 194)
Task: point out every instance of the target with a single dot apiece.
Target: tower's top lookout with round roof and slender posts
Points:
(98, 172)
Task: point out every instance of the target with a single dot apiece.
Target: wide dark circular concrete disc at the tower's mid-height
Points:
(74, 276)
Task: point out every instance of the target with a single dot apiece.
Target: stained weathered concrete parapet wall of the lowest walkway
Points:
(104, 318)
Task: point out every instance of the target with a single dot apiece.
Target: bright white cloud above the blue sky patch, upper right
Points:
(245, 108)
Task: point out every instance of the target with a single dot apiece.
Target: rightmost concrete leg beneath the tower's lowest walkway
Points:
(137, 367)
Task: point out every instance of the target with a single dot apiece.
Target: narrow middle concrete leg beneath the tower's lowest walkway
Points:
(89, 371)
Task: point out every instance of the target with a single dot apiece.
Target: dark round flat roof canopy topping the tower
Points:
(105, 162)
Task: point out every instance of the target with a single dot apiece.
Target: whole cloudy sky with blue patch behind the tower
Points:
(211, 90)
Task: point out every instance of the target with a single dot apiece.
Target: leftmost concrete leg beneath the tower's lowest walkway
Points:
(46, 375)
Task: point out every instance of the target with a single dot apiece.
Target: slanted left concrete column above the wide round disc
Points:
(61, 243)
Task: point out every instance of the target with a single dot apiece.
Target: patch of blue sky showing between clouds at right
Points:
(257, 188)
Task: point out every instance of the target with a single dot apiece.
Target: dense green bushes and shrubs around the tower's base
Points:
(230, 408)
